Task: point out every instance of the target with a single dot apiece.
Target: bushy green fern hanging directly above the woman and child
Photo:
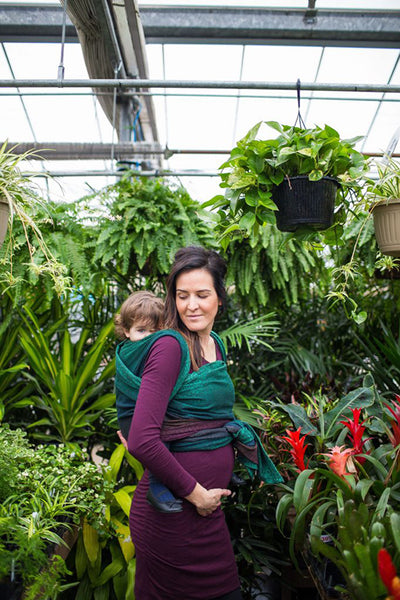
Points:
(135, 226)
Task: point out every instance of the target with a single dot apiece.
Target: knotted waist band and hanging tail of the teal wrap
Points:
(243, 437)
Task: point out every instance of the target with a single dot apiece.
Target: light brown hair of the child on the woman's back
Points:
(140, 307)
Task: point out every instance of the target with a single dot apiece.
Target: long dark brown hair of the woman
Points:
(188, 259)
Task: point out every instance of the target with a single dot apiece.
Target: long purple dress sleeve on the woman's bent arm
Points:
(144, 441)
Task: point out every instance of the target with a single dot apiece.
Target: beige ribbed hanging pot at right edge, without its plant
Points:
(387, 226)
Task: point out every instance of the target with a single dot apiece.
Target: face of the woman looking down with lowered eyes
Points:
(196, 300)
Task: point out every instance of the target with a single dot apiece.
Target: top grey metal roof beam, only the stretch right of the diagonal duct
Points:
(272, 26)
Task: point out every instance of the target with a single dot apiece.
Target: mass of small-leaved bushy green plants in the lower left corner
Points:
(44, 490)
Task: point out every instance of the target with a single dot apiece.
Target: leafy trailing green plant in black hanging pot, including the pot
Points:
(301, 169)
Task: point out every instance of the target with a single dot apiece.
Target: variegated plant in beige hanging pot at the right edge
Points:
(384, 193)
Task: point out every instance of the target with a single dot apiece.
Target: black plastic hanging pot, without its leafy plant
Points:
(305, 203)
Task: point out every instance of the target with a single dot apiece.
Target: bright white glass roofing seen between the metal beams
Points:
(204, 119)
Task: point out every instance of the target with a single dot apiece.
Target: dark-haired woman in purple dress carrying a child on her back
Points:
(188, 555)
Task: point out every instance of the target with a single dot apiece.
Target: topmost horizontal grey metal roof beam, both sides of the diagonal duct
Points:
(166, 24)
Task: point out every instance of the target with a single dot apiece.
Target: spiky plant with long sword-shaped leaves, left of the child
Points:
(69, 377)
